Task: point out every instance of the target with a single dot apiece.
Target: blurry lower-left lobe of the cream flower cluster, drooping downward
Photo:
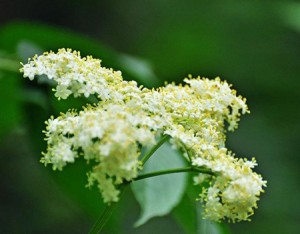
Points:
(108, 135)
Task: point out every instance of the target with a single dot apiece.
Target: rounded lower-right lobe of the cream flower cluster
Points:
(238, 188)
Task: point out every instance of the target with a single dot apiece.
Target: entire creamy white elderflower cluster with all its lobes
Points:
(127, 118)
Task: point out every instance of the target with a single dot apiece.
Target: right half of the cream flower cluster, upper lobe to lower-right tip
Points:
(196, 114)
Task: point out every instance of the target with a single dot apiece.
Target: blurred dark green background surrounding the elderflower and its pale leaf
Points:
(253, 44)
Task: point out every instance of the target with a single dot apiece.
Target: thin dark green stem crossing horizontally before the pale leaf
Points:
(174, 170)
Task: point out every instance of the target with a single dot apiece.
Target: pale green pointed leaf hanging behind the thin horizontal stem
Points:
(157, 196)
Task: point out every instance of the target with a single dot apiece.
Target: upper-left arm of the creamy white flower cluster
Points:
(73, 74)
